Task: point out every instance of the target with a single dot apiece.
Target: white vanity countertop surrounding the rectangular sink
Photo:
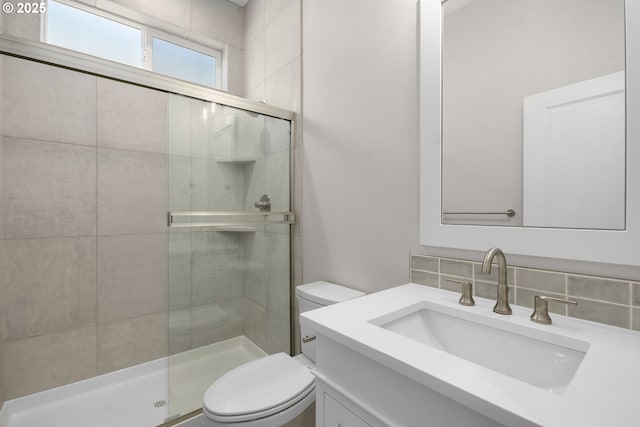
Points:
(605, 390)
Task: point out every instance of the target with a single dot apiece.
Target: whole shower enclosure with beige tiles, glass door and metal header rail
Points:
(143, 222)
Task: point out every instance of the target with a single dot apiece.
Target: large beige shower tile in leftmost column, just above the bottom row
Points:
(48, 285)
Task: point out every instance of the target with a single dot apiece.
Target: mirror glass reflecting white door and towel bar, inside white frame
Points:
(533, 113)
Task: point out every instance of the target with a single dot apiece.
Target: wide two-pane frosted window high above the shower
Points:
(100, 34)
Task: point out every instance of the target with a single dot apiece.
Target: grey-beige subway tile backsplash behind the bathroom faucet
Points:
(600, 299)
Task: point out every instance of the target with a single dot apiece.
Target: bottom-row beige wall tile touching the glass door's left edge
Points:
(132, 341)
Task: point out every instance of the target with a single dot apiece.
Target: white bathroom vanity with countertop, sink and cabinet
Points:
(412, 356)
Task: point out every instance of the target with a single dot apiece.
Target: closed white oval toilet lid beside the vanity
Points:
(258, 388)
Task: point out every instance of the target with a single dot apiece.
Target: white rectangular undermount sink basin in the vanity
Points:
(545, 360)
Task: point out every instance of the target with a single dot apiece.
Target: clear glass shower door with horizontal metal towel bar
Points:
(229, 243)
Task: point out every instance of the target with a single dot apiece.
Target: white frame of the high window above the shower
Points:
(148, 33)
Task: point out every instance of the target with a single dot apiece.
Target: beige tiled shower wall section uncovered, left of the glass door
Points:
(83, 247)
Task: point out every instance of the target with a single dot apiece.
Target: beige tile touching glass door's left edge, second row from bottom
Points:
(131, 276)
